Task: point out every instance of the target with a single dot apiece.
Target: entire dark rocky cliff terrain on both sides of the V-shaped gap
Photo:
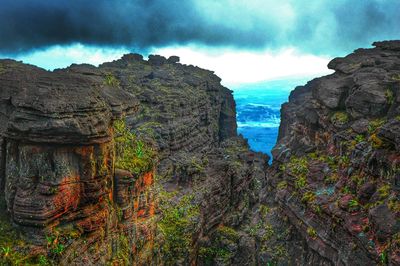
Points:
(138, 162)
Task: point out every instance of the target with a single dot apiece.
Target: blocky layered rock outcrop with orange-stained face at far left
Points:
(56, 135)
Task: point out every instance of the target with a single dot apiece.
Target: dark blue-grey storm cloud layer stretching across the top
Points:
(315, 25)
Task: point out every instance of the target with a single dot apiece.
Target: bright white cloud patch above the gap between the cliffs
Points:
(237, 67)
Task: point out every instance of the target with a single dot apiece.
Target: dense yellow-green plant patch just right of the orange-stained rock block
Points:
(131, 153)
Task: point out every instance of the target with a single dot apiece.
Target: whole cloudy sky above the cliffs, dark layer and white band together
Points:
(244, 41)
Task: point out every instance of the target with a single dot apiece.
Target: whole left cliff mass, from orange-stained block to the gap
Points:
(77, 162)
